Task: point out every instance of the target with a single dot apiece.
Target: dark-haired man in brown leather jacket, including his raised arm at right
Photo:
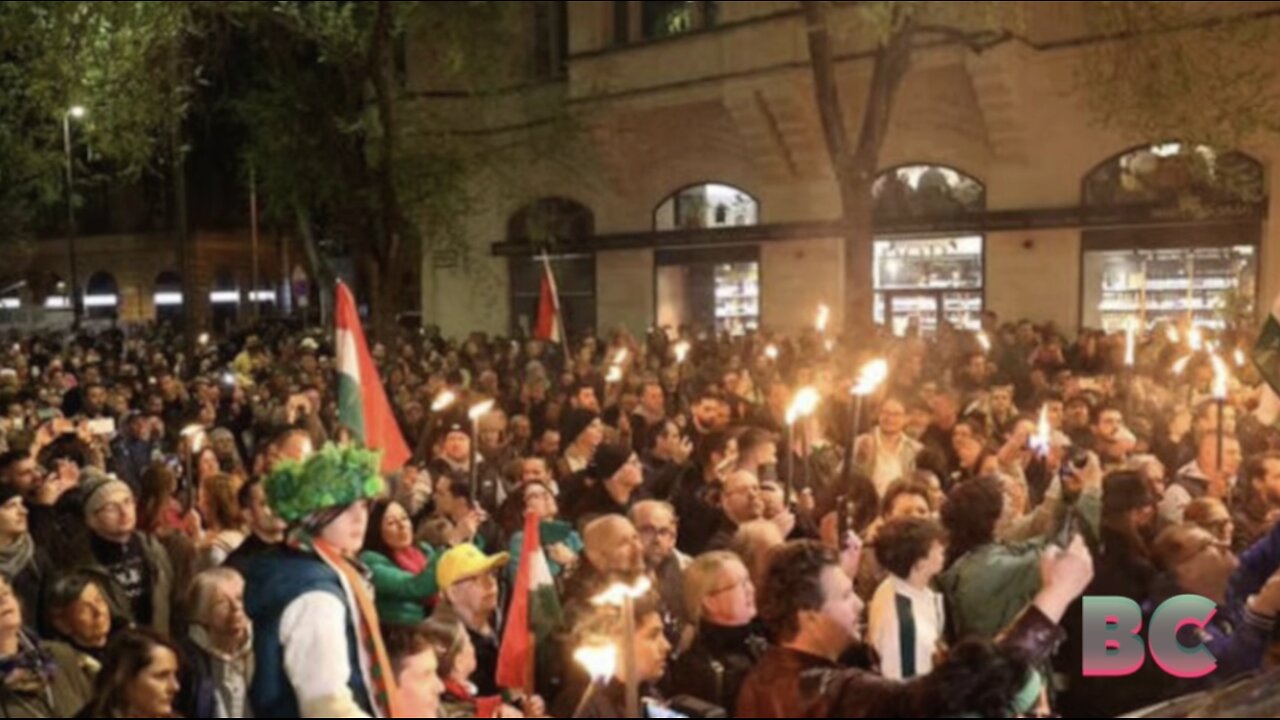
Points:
(810, 604)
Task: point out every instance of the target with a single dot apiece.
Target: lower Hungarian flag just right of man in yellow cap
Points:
(534, 613)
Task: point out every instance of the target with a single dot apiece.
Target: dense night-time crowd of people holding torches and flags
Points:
(191, 532)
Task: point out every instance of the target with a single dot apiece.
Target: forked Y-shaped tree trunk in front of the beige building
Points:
(857, 167)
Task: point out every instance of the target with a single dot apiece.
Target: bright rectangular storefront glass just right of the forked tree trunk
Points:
(920, 282)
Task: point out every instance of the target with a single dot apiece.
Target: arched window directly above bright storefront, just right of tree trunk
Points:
(927, 193)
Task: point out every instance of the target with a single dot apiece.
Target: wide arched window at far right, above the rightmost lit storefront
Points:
(1177, 180)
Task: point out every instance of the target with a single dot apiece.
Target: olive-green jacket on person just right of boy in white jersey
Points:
(989, 587)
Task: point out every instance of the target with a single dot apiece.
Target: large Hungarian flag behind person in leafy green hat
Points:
(363, 404)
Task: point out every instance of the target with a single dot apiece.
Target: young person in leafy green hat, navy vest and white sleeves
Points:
(318, 644)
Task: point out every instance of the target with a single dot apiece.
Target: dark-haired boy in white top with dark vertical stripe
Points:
(907, 621)
